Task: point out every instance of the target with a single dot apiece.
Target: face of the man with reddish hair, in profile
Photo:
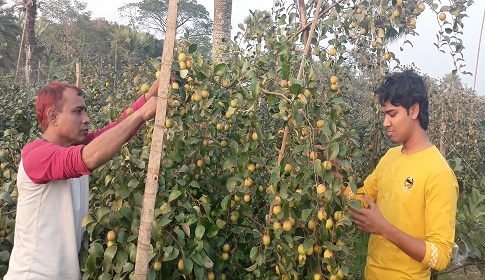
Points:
(72, 121)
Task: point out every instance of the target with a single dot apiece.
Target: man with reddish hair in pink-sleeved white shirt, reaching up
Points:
(53, 180)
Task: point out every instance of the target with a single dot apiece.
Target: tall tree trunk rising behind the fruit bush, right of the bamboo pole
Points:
(222, 30)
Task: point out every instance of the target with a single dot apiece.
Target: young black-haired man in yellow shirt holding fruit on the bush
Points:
(412, 193)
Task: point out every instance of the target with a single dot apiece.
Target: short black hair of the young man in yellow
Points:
(406, 89)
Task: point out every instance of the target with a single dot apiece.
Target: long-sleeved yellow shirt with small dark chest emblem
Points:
(416, 193)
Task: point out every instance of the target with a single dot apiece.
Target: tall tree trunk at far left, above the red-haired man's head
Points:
(30, 41)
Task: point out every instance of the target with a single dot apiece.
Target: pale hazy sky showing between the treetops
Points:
(423, 54)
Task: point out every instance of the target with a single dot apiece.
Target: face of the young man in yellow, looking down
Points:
(398, 123)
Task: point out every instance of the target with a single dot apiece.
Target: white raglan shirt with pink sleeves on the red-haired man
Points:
(53, 199)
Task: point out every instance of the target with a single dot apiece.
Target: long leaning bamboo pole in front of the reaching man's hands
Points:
(151, 186)
